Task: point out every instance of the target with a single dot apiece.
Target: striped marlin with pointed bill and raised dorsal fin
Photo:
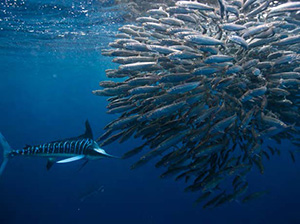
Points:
(80, 147)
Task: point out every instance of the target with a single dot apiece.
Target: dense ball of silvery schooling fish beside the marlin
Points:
(210, 89)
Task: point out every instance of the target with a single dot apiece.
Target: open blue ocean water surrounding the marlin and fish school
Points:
(50, 61)
